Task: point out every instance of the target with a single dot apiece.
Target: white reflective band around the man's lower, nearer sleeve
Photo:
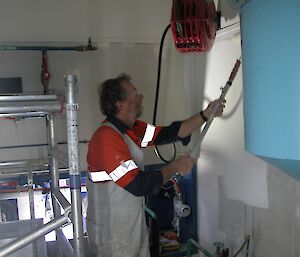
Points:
(116, 174)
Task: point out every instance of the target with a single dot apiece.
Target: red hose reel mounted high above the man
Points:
(194, 25)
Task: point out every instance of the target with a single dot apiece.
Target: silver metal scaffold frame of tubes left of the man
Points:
(23, 106)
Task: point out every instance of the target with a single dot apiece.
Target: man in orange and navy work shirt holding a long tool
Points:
(116, 182)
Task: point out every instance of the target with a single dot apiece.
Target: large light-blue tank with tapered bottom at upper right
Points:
(271, 74)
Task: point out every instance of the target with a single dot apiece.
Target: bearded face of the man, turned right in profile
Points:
(134, 100)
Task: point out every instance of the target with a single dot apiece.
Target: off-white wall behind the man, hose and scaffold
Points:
(237, 193)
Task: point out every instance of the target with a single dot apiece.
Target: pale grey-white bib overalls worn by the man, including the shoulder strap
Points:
(116, 220)
